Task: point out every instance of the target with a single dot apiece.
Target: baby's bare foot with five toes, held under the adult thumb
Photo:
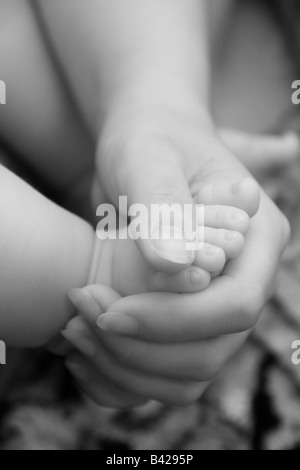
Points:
(123, 267)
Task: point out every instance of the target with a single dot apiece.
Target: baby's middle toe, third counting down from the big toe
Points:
(231, 242)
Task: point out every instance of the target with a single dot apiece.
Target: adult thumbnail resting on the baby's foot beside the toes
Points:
(171, 244)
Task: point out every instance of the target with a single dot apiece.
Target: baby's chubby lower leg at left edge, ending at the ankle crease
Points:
(44, 252)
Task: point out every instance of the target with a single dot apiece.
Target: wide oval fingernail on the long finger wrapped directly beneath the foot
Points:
(119, 323)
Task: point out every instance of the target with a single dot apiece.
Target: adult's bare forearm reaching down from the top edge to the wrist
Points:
(131, 52)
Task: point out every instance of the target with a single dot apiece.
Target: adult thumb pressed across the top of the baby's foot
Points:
(161, 208)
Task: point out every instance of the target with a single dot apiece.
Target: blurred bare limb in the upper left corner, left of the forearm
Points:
(39, 120)
